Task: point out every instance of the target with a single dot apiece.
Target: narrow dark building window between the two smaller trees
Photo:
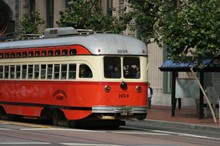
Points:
(50, 12)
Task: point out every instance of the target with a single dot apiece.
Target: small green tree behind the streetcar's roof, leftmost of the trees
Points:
(29, 25)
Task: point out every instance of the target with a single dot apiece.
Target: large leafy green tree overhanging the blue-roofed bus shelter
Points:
(189, 28)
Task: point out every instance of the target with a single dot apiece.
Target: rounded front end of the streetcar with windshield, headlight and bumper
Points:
(122, 92)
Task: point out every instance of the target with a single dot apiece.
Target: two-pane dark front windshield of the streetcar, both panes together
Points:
(113, 69)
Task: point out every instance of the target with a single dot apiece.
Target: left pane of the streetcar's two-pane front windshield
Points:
(112, 67)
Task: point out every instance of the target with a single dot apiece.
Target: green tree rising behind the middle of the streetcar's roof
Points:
(88, 15)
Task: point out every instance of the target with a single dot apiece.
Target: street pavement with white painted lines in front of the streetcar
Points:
(135, 133)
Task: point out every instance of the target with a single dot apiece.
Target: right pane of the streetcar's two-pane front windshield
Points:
(131, 67)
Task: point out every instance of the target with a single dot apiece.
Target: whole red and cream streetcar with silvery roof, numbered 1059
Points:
(73, 75)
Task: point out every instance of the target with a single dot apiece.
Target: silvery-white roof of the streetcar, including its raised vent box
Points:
(96, 43)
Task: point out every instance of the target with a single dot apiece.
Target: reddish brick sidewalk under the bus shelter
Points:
(186, 117)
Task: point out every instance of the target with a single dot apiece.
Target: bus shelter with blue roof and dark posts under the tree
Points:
(212, 65)
